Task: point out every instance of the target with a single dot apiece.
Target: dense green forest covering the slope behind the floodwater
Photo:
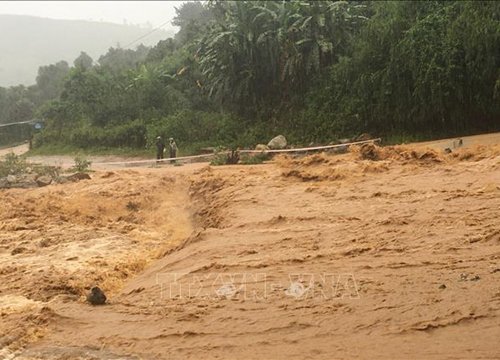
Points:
(240, 72)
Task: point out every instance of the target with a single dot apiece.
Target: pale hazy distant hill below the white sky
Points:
(28, 42)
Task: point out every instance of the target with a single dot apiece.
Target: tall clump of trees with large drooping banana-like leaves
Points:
(258, 54)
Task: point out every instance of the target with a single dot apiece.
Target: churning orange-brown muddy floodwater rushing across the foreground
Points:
(379, 253)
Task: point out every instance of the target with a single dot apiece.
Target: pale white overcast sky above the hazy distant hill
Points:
(144, 13)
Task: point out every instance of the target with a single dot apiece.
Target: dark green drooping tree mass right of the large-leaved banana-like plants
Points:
(425, 69)
